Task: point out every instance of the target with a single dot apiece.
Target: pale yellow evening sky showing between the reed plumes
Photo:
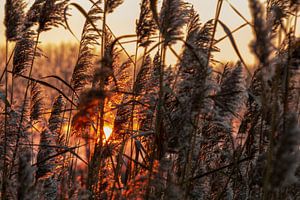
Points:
(122, 21)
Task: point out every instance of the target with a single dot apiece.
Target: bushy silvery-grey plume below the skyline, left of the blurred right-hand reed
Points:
(229, 101)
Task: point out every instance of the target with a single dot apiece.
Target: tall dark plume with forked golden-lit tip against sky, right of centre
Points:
(194, 75)
